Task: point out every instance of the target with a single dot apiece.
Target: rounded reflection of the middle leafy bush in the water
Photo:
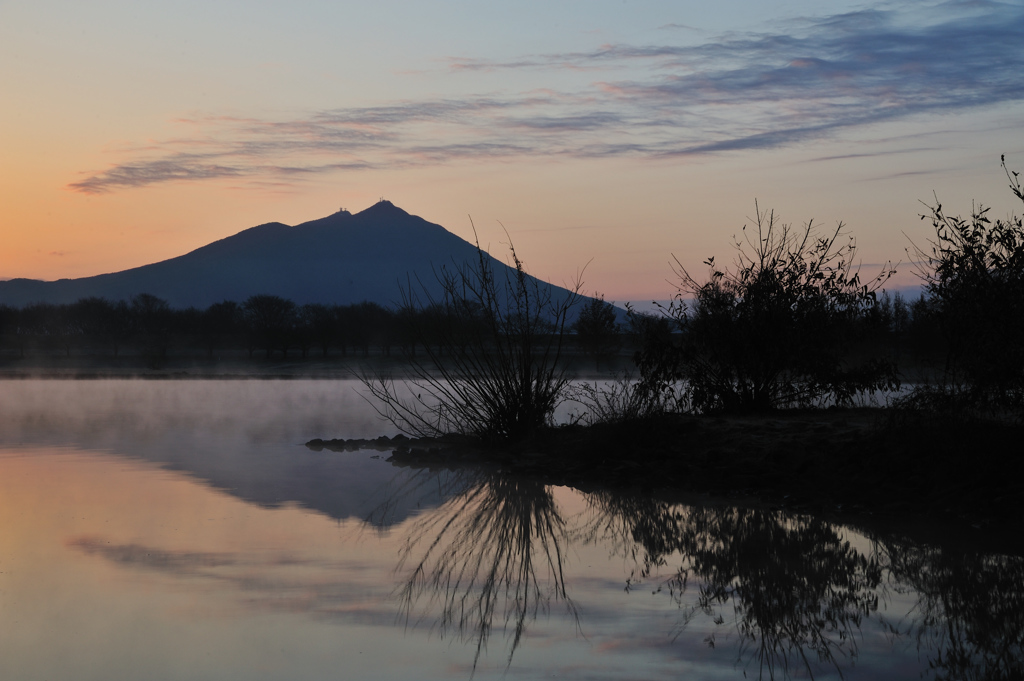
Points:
(796, 586)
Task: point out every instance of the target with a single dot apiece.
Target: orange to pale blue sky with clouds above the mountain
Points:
(616, 134)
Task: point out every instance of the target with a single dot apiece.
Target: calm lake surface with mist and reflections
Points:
(182, 530)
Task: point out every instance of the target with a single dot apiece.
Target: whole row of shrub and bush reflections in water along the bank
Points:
(790, 590)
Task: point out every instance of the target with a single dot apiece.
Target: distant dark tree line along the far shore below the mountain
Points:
(272, 327)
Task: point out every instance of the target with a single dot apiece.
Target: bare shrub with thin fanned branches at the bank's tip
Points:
(493, 350)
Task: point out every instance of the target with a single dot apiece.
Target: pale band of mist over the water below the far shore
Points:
(237, 411)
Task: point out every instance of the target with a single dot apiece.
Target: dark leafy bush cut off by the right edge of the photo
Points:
(975, 281)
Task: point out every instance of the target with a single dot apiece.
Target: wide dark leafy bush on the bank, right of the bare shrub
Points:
(773, 332)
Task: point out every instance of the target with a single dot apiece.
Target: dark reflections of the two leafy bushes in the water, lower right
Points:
(799, 592)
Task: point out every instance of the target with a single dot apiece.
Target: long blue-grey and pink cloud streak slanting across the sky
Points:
(752, 92)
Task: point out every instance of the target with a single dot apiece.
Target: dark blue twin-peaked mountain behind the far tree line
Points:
(339, 260)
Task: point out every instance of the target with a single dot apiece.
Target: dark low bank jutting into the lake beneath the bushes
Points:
(894, 469)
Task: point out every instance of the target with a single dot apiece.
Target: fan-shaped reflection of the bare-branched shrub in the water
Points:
(478, 559)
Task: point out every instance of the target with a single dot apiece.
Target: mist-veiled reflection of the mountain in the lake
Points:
(243, 438)
